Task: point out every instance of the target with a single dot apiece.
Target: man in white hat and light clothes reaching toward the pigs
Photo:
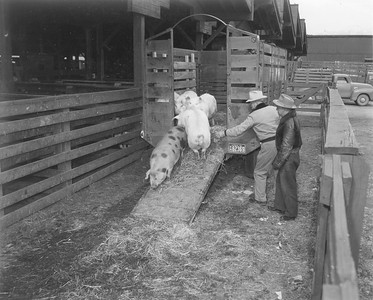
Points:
(264, 120)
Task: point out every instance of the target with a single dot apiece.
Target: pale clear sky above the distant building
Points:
(336, 17)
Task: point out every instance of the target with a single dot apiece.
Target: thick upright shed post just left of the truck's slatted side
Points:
(138, 49)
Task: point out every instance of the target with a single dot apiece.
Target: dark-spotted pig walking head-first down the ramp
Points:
(165, 155)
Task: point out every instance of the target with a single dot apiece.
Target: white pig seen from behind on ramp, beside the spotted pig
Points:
(197, 128)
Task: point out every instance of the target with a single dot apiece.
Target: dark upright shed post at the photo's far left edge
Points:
(6, 72)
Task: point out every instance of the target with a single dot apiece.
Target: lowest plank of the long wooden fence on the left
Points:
(27, 210)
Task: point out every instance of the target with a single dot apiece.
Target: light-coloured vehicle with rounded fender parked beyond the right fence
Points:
(360, 93)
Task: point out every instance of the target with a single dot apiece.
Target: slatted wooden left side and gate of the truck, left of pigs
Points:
(167, 70)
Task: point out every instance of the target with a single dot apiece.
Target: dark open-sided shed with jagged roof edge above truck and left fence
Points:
(97, 40)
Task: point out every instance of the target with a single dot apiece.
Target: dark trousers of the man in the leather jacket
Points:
(286, 196)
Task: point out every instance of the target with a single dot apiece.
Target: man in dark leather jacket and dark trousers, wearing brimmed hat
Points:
(288, 143)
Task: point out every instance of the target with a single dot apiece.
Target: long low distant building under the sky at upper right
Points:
(356, 48)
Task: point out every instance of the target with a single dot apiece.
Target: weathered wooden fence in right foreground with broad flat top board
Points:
(343, 189)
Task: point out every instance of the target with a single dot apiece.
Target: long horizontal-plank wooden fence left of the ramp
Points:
(54, 146)
